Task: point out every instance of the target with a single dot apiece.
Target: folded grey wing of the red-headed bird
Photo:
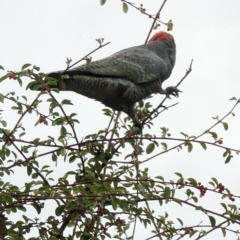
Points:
(135, 64)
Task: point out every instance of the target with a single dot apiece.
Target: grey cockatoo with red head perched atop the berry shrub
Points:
(125, 77)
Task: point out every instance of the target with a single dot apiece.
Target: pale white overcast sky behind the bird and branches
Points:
(44, 33)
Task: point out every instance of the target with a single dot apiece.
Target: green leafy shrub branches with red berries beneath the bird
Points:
(107, 191)
